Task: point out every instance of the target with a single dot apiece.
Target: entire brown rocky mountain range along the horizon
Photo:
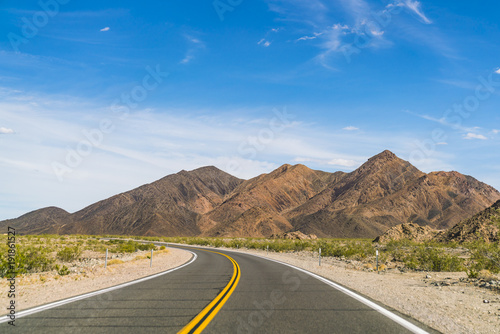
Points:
(384, 192)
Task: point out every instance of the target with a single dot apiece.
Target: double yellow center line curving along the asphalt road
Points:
(198, 324)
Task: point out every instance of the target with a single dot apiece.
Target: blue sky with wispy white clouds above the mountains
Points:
(99, 97)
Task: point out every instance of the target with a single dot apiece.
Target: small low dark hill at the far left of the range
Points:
(47, 220)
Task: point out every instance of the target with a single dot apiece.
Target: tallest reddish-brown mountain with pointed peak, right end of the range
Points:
(387, 191)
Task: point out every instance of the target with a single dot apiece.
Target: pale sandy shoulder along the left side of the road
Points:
(39, 289)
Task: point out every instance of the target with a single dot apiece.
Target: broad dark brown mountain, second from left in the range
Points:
(170, 206)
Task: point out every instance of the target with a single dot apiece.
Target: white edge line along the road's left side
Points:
(37, 309)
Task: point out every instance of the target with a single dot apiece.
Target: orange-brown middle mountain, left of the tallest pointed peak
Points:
(259, 203)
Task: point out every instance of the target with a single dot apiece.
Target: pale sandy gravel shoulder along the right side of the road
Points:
(457, 308)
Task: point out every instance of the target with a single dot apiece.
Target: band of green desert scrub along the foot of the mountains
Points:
(53, 252)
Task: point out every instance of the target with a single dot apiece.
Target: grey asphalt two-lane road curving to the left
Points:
(268, 298)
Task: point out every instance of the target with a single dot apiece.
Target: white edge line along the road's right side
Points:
(394, 317)
